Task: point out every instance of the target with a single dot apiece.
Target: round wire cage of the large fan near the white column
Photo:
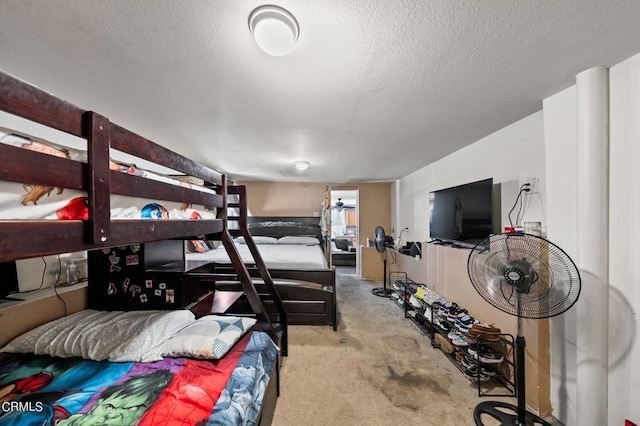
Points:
(551, 283)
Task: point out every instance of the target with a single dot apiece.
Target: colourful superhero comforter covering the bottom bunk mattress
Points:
(40, 389)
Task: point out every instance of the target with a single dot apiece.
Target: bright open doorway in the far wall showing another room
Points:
(344, 227)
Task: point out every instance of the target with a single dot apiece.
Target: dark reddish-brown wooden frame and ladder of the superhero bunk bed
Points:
(22, 239)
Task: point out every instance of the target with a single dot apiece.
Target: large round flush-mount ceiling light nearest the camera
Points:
(274, 28)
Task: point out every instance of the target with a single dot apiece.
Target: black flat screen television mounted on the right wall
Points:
(466, 214)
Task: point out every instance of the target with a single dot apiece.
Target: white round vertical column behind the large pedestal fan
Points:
(593, 245)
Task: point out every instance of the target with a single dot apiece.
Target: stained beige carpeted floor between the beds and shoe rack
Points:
(377, 369)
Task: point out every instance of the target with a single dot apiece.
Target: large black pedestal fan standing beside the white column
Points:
(529, 277)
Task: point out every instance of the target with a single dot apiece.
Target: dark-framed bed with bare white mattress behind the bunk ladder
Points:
(290, 249)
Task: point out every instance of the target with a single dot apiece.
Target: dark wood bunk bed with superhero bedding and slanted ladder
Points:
(37, 373)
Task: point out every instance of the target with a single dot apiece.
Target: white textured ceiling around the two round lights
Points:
(373, 90)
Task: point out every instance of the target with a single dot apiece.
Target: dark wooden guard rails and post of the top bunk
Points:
(46, 237)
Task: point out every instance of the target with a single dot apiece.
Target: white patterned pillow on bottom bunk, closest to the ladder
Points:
(210, 337)
